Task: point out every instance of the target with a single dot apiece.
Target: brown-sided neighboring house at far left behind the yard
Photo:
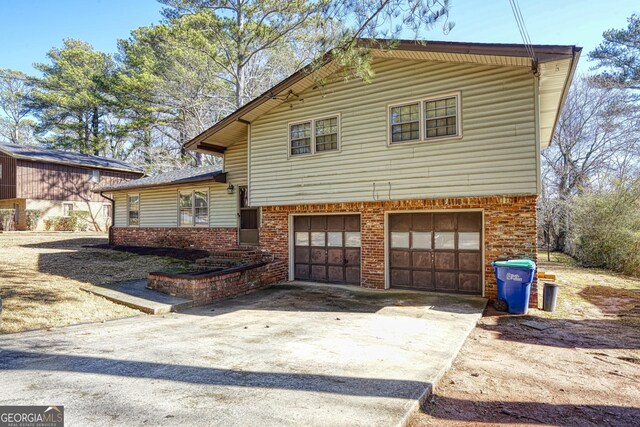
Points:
(57, 182)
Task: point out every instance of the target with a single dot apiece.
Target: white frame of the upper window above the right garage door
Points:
(423, 119)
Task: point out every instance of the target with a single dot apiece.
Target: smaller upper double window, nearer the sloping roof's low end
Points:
(314, 136)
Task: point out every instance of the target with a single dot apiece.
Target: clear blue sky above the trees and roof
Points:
(29, 28)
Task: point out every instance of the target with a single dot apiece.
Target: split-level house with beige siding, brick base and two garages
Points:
(417, 180)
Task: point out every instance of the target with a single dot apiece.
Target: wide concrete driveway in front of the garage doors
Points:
(294, 354)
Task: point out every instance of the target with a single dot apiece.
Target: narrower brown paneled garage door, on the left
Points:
(327, 248)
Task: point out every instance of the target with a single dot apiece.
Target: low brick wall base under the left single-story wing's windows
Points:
(187, 237)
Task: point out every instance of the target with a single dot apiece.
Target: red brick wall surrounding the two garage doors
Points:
(509, 230)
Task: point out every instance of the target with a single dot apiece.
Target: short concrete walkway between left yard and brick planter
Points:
(135, 294)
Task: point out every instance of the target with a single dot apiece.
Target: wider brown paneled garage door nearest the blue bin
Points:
(436, 251)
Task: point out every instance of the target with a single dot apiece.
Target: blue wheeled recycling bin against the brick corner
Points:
(514, 279)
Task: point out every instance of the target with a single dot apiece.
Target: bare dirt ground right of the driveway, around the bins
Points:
(582, 369)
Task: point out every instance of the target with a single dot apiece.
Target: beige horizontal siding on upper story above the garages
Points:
(496, 154)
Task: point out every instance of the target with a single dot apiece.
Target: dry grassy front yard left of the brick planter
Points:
(41, 275)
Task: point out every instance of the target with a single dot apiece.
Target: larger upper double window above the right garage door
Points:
(425, 119)
